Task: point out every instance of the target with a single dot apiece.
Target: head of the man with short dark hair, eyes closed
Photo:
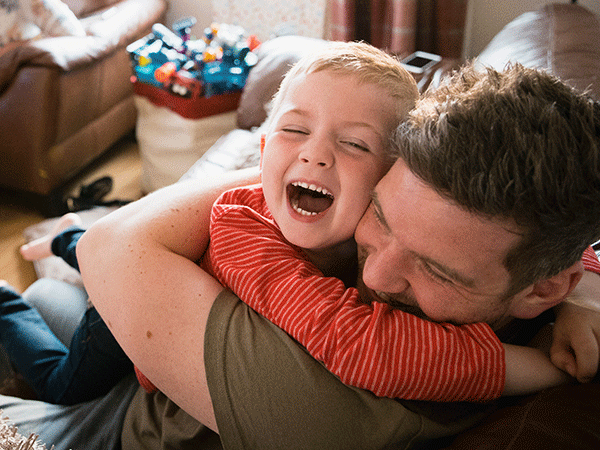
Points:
(518, 149)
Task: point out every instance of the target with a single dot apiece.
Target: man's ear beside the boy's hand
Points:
(546, 293)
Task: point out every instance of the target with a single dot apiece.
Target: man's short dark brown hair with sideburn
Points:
(519, 145)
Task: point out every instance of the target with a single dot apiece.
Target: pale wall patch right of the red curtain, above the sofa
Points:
(487, 17)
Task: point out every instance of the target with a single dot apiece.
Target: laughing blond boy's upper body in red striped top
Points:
(324, 151)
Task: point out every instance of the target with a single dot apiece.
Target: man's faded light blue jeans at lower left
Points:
(93, 425)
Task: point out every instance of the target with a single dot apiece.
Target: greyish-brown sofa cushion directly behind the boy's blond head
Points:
(275, 57)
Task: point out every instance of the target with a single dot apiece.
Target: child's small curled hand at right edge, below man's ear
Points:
(576, 335)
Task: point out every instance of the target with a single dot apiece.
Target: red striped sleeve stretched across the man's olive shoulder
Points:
(374, 347)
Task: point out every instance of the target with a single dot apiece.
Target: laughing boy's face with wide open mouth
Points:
(324, 153)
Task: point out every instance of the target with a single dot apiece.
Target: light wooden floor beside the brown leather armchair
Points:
(122, 163)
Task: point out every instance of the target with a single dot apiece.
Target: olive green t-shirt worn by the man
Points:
(269, 393)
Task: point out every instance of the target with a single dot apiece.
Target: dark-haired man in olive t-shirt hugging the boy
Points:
(247, 380)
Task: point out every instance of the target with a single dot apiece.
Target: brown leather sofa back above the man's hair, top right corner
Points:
(562, 38)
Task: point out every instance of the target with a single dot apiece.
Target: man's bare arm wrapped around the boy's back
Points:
(138, 265)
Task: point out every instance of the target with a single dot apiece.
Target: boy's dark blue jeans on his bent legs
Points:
(88, 369)
